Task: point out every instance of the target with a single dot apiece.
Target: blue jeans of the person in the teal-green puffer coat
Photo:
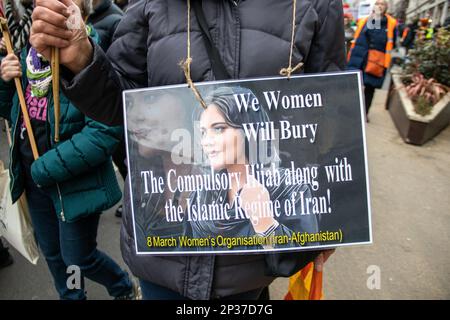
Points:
(65, 244)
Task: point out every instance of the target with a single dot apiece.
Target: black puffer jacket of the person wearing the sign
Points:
(253, 38)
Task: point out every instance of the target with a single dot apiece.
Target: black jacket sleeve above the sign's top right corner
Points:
(327, 51)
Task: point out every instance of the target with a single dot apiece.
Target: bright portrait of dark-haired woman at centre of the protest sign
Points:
(254, 206)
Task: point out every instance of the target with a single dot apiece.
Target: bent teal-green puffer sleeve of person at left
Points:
(85, 150)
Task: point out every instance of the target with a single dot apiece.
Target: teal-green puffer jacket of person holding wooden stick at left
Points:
(76, 172)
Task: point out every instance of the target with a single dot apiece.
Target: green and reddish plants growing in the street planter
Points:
(427, 71)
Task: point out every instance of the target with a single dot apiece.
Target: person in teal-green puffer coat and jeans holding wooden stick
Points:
(72, 181)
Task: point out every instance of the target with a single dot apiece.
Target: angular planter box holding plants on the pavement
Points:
(414, 128)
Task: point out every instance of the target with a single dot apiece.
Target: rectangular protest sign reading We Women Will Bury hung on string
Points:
(270, 165)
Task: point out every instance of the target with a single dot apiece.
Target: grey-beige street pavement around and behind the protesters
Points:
(410, 200)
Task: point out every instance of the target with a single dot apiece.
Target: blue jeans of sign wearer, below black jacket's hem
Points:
(151, 291)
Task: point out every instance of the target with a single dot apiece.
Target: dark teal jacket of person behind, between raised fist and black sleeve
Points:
(105, 19)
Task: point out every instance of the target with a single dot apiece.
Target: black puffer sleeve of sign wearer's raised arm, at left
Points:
(97, 90)
